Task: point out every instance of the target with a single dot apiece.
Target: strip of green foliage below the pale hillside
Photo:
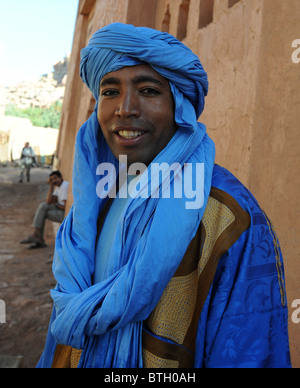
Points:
(39, 117)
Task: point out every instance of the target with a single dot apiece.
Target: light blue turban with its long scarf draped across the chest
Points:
(105, 319)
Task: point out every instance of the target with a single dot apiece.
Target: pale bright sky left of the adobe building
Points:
(34, 35)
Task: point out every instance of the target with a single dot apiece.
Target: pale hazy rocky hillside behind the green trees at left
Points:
(41, 93)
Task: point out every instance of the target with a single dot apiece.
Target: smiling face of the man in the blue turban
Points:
(136, 113)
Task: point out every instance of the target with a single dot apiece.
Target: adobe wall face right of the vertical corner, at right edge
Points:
(275, 157)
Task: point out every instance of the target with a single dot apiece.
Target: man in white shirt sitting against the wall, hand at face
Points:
(53, 209)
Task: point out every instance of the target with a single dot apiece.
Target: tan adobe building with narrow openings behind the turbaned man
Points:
(252, 110)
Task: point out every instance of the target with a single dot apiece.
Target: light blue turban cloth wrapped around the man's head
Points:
(119, 45)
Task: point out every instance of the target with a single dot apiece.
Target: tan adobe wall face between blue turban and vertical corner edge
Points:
(229, 50)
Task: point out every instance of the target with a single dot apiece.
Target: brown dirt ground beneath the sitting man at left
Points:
(25, 275)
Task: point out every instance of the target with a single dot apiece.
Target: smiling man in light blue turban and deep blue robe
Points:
(152, 278)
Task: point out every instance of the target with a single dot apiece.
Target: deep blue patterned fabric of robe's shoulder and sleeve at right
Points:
(244, 322)
